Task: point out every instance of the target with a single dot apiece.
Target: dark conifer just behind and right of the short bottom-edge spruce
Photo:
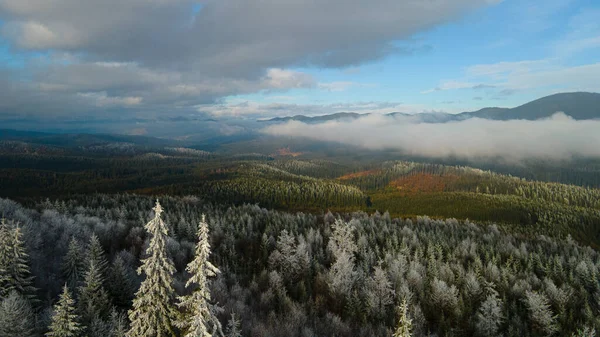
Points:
(93, 298)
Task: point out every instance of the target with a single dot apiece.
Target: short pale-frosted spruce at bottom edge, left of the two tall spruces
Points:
(65, 320)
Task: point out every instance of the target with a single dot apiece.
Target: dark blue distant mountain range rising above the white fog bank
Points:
(578, 105)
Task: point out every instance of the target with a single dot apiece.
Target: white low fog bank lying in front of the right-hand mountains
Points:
(558, 137)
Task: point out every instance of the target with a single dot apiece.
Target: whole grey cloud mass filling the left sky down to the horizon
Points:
(157, 55)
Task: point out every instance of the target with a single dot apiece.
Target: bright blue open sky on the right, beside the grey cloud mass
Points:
(509, 32)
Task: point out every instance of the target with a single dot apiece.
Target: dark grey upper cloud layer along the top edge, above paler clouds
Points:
(226, 36)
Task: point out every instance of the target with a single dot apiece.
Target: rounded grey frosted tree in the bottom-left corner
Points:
(16, 316)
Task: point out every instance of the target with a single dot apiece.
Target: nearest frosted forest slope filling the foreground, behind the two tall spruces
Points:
(287, 274)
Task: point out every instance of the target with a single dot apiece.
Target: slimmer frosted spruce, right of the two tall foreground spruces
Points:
(199, 318)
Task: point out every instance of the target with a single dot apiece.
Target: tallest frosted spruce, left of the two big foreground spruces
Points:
(153, 312)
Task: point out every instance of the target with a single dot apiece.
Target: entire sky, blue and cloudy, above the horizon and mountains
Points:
(115, 60)
